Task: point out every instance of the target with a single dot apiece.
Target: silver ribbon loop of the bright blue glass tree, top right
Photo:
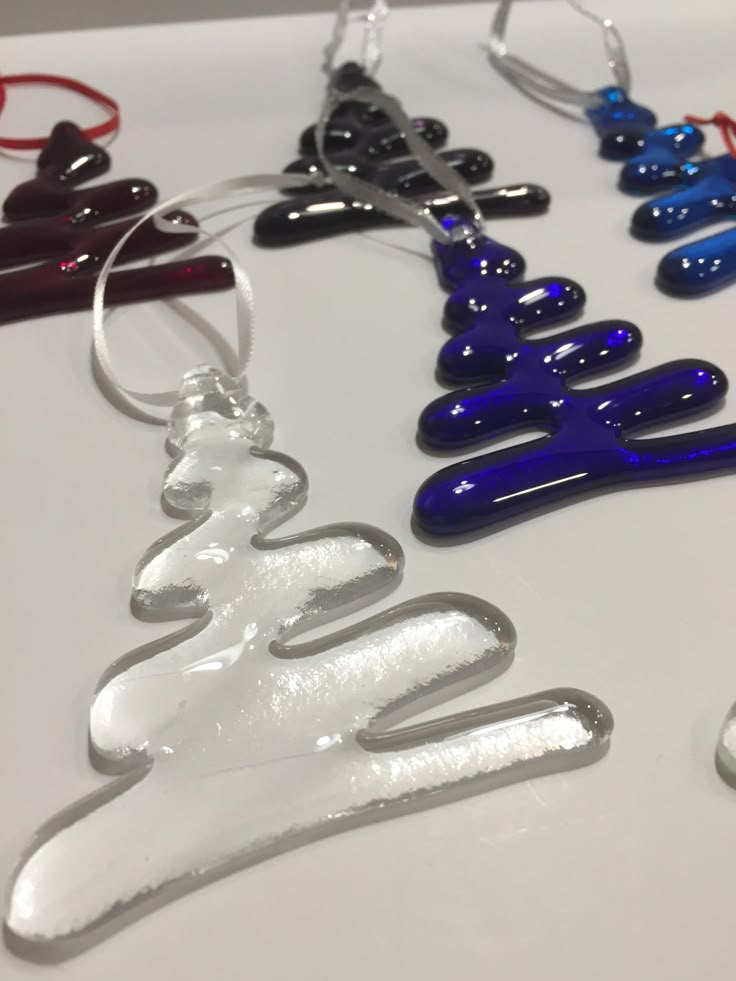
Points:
(542, 85)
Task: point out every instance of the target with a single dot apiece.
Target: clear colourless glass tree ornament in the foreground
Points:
(236, 743)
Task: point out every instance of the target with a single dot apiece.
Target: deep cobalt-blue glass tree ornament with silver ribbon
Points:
(515, 383)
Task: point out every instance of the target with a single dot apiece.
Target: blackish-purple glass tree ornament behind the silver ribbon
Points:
(360, 140)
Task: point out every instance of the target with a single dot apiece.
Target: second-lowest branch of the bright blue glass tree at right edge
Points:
(710, 199)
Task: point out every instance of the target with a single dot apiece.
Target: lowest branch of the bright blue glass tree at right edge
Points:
(699, 267)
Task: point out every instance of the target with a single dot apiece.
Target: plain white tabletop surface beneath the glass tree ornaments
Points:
(617, 870)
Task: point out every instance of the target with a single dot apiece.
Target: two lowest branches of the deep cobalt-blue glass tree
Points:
(589, 446)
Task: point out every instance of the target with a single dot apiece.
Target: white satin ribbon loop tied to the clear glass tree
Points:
(128, 399)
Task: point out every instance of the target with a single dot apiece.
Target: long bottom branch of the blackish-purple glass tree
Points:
(294, 221)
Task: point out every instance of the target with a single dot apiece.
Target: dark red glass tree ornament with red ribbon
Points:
(65, 230)
